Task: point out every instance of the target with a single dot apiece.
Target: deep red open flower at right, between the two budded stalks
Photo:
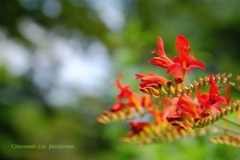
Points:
(212, 99)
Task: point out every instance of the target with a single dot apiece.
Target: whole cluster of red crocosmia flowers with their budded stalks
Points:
(175, 110)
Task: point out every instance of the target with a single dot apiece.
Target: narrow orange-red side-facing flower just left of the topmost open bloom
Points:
(161, 58)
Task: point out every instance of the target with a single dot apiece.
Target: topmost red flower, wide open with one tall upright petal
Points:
(184, 61)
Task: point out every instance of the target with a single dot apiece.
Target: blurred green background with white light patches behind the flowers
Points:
(58, 59)
